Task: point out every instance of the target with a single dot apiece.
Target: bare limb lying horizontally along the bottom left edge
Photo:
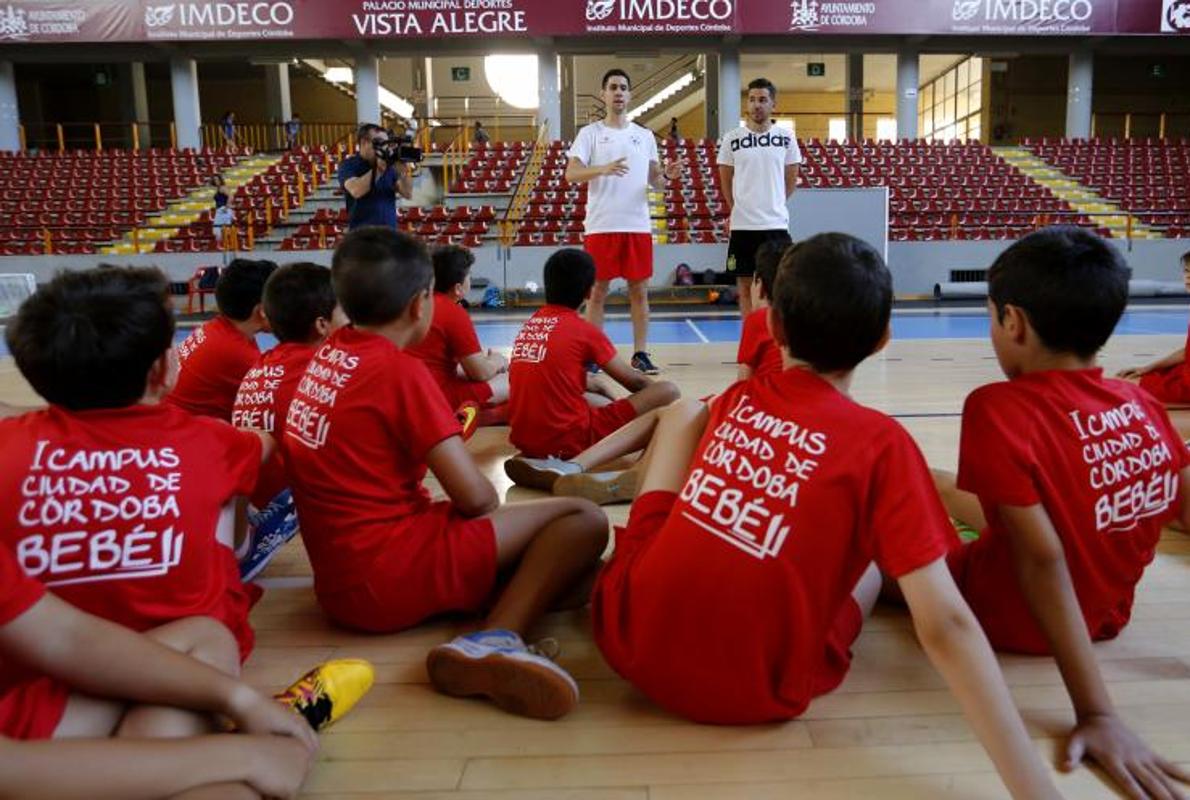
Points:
(149, 770)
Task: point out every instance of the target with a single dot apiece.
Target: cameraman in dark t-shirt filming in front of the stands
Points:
(371, 185)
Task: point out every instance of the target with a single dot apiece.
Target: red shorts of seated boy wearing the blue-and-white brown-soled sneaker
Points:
(439, 562)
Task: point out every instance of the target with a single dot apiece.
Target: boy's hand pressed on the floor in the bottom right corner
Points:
(1132, 765)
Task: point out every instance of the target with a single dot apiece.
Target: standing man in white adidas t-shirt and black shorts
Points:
(759, 172)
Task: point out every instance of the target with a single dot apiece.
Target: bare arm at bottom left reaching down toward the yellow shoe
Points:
(99, 658)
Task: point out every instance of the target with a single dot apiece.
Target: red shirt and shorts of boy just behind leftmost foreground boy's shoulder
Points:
(264, 399)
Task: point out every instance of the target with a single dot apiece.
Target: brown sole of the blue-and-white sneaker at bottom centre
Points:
(518, 687)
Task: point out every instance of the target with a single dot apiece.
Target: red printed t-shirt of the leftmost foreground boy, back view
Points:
(126, 512)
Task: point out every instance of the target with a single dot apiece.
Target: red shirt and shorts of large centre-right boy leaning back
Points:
(793, 492)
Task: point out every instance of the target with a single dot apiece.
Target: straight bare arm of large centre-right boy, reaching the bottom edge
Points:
(959, 649)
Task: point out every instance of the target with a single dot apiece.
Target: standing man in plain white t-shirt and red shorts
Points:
(619, 160)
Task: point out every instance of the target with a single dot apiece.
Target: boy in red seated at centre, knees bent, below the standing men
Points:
(559, 426)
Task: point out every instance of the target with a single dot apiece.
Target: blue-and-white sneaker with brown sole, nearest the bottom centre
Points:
(499, 666)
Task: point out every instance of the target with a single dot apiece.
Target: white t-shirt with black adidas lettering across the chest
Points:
(759, 185)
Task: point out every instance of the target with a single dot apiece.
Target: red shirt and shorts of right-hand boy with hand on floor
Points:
(1103, 458)
